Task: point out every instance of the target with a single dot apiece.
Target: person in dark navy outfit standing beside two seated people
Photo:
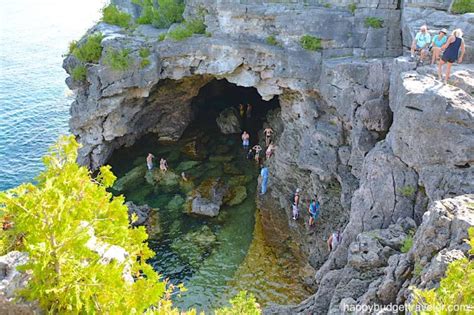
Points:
(451, 49)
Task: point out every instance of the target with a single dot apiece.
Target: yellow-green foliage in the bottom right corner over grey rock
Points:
(455, 289)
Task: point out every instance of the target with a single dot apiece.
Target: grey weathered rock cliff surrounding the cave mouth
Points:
(377, 139)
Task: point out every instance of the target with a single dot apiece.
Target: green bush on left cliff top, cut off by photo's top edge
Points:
(162, 15)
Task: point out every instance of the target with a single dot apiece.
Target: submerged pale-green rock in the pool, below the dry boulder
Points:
(195, 246)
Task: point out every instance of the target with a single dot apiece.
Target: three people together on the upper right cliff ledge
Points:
(444, 49)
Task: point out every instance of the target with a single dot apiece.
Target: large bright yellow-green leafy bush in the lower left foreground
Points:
(55, 219)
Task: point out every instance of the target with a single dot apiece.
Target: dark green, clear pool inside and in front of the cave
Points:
(213, 257)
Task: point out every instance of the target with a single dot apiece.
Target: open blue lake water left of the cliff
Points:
(34, 100)
